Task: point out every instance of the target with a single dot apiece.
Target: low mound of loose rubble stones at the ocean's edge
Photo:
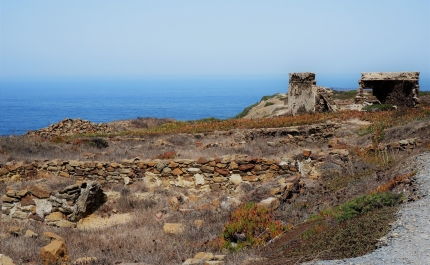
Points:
(69, 127)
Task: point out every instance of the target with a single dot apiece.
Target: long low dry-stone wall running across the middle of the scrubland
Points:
(215, 173)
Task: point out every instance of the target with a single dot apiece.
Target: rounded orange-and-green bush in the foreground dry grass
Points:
(250, 225)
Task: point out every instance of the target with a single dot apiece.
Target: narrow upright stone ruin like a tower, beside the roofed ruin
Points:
(305, 96)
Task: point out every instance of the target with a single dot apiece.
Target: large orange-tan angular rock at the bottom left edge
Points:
(55, 253)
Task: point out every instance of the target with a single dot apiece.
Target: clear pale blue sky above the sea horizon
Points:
(225, 37)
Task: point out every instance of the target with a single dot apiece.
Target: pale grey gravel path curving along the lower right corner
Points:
(409, 240)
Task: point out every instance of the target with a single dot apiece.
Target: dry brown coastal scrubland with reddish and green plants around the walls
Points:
(340, 213)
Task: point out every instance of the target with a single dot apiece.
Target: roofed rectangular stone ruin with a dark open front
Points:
(399, 89)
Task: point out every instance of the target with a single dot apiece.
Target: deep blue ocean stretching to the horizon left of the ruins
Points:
(33, 104)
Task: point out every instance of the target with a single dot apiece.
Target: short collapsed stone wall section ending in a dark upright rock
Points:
(59, 208)
